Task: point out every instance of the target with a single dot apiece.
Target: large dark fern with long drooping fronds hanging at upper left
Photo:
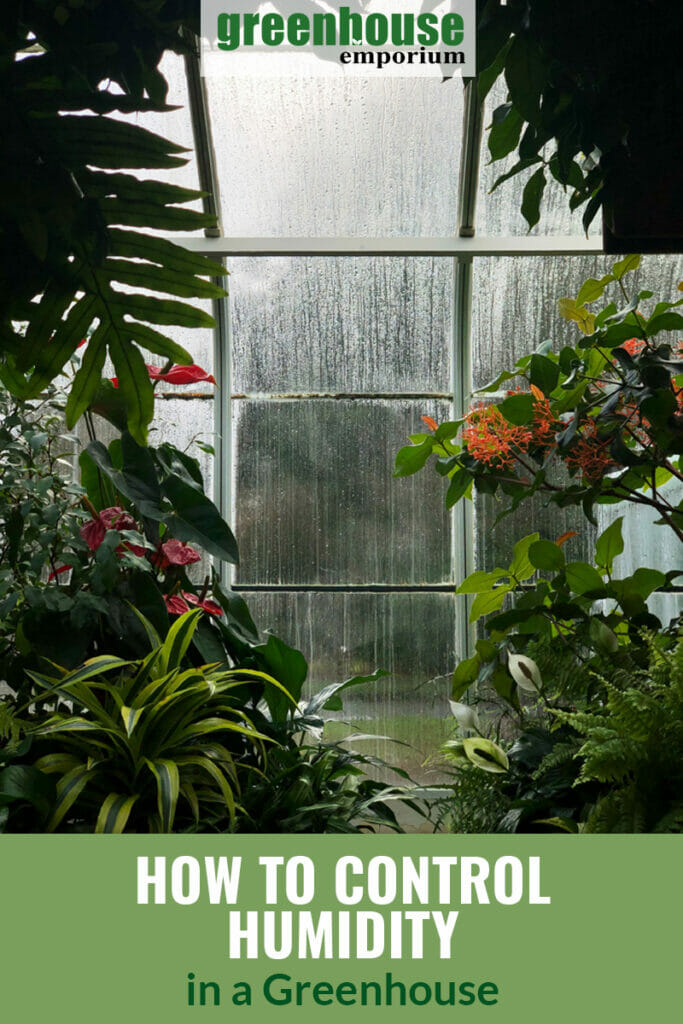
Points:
(71, 202)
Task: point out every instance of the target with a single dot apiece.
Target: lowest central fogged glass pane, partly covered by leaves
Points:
(343, 635)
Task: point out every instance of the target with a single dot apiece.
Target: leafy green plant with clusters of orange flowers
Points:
(597, 423)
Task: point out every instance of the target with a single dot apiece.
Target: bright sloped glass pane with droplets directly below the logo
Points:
(325, 158)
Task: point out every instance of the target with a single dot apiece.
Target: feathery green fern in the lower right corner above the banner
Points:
(633, 745)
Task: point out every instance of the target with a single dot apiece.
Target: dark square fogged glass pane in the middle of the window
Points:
(316, 501)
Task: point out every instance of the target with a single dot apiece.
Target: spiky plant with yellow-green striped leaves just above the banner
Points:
(127, 742)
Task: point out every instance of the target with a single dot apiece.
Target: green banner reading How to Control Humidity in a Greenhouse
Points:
(177, 929)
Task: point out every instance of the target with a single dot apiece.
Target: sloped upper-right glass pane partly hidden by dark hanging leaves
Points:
(499, 212)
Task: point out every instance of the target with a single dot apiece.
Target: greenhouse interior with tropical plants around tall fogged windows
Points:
(401, 424)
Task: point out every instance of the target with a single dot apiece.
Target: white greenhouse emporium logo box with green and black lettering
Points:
(357, 38)
